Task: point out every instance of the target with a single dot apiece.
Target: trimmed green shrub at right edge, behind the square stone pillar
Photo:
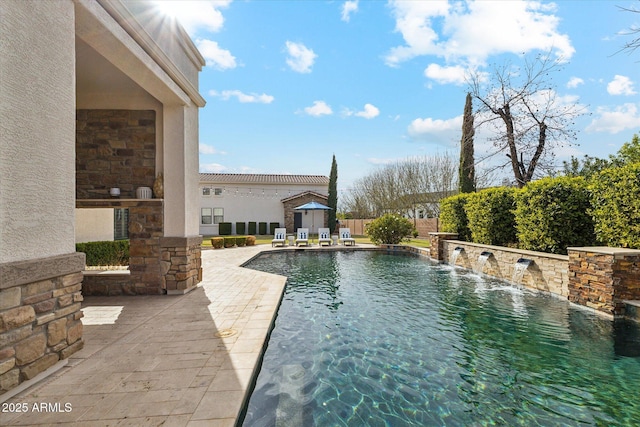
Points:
(616, 206)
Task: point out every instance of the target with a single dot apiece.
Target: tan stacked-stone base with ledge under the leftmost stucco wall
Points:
(39, 316)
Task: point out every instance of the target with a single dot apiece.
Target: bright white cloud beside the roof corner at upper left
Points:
(195, 15)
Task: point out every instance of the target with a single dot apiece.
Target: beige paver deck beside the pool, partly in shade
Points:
(183, 360)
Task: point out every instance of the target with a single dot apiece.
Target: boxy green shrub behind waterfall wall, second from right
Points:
(552, 214)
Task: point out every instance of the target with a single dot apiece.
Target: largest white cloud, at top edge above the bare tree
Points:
(472, 31)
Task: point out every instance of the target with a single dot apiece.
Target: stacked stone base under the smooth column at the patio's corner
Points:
(181, 264)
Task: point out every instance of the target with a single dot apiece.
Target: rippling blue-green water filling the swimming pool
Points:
(370, 339)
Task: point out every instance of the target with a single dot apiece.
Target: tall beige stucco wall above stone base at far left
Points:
(37, 130)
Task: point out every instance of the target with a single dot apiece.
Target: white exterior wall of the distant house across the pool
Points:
(253, 202)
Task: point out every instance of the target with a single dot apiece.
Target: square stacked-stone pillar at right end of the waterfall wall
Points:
(603, 278)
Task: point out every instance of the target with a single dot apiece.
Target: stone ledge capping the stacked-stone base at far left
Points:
(31, 271)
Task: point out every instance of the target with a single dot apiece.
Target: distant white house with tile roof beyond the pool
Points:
(270, 198)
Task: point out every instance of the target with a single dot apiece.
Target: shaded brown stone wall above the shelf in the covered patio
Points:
(114, 148)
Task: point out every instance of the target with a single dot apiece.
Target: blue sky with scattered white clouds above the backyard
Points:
(290, 83)
